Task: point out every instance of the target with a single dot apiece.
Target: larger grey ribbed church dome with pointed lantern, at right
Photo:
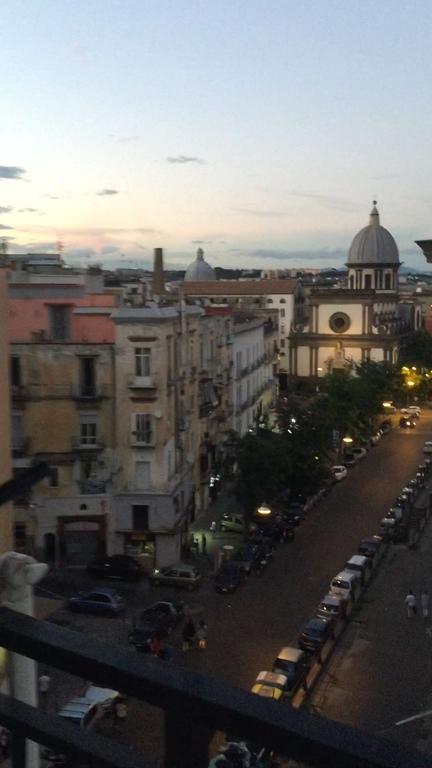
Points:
(373, 245)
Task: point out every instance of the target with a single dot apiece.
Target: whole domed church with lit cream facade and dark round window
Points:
(340, 328)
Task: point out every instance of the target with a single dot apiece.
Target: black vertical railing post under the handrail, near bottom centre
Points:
(187, 740)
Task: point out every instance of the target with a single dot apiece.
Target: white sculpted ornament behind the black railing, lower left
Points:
(18, 574)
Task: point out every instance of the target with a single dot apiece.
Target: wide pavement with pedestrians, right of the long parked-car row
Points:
(381, 671)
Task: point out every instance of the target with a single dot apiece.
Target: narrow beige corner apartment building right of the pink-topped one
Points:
(157, 425)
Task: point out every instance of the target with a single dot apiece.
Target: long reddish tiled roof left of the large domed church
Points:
(239, 287)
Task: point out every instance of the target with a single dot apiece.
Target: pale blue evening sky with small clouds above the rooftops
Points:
(259, 130)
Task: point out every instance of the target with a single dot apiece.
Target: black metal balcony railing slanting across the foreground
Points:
(195, 708)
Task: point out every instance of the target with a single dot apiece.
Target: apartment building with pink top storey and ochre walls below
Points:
(62, 372)
